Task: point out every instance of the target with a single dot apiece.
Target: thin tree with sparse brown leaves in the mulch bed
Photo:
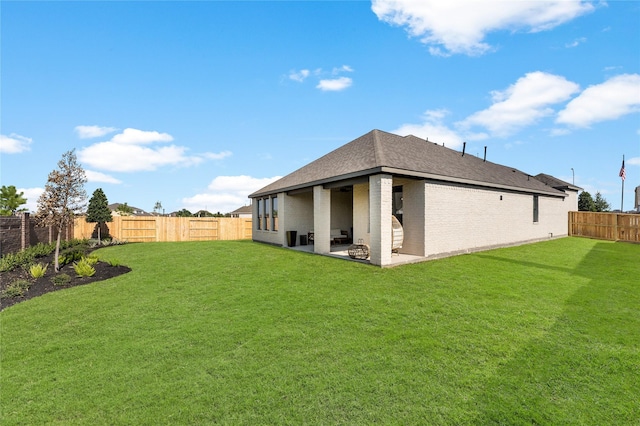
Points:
(63, 197)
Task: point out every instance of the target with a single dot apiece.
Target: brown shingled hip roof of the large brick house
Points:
(382, 152)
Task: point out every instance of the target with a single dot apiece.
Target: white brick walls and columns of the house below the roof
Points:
(437, 218)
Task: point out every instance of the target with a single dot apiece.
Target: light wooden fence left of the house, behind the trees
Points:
(162, 228)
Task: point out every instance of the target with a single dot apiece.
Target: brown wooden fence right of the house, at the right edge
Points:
(605, 226)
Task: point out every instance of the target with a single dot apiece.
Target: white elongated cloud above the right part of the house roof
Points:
(522, 103)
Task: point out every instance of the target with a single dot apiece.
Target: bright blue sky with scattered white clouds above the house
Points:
(198, 104)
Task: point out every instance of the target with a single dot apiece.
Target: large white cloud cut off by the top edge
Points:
(460, 26)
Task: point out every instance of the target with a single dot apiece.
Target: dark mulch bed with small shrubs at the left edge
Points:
(40, 286)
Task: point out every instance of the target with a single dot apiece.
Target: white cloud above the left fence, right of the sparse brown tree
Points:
(124, 153)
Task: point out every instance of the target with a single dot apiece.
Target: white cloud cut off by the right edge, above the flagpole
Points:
(610, 100)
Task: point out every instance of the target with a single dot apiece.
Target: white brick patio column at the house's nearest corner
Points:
(380, 197)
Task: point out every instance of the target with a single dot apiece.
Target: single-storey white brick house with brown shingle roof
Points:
(446, 201)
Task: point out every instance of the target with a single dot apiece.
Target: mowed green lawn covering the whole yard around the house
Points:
(244, 333)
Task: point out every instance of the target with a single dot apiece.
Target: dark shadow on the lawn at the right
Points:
(584, 369)
